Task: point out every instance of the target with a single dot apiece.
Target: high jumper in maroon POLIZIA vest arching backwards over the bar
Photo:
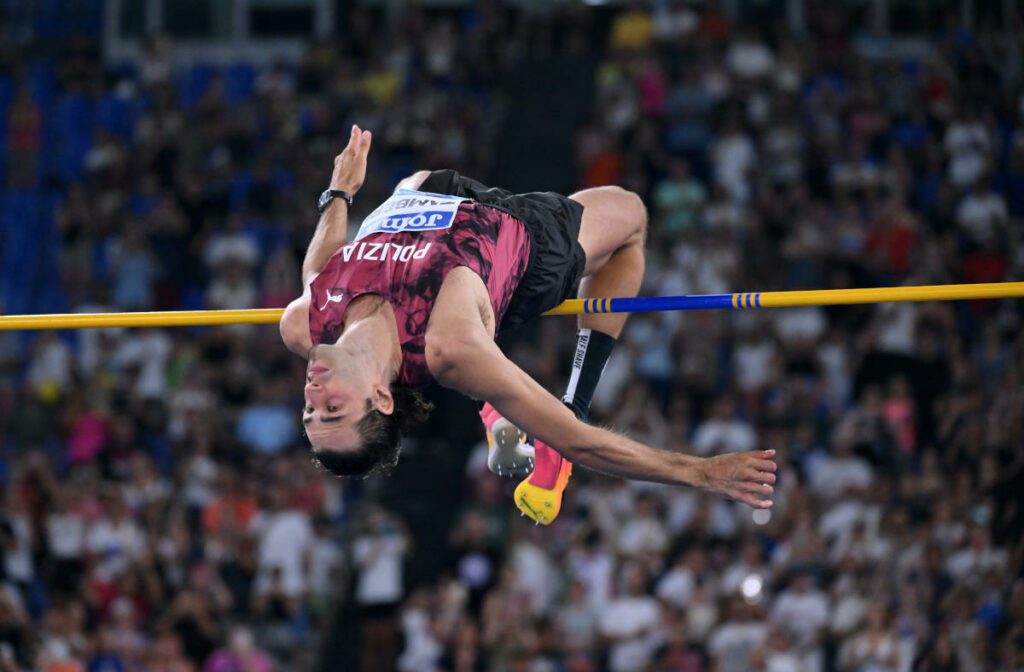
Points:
(419, 296)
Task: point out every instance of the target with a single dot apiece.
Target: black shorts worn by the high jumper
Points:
(552, 222)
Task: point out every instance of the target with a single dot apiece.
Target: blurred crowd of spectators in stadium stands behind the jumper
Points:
(161, 514)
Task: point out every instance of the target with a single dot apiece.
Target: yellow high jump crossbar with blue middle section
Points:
(573, 307)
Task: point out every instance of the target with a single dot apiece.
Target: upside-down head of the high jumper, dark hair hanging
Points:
(354, 419)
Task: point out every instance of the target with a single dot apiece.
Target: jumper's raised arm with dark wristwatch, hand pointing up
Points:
(331, 234)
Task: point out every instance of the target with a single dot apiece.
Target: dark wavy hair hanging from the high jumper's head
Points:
(381, 437)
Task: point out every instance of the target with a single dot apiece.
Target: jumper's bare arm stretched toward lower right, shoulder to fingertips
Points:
(465, 358)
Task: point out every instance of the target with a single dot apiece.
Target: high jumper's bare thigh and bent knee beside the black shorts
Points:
(613, 219)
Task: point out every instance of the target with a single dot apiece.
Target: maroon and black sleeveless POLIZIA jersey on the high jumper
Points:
(408, 269)
